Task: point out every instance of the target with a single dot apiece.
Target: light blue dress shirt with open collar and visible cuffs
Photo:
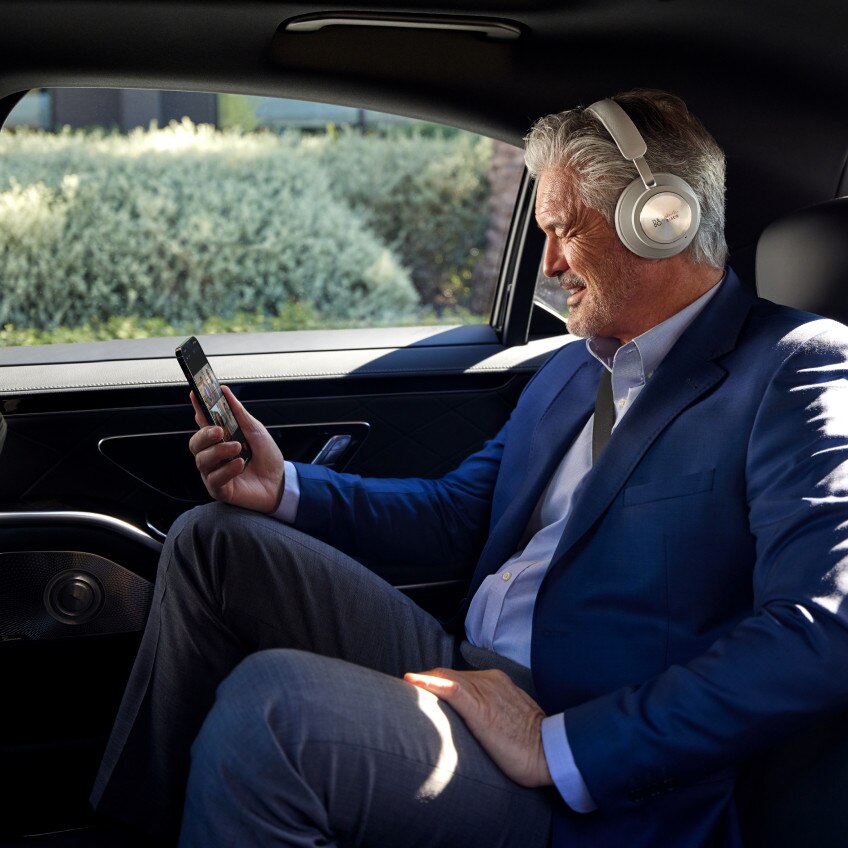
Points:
(500, 616)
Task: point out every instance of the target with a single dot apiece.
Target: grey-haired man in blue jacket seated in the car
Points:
(642, 615)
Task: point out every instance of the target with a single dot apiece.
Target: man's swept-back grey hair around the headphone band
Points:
(678, 143)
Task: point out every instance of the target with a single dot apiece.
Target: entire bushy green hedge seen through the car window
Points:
(190, 222)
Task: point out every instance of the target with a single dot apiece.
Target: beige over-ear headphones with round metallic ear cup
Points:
(657, 216)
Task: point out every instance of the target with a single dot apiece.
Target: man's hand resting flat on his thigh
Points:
(505, 720)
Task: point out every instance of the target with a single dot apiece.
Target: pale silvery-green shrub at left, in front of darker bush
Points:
(183, 221)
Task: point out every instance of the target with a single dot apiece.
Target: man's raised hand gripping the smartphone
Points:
(257, 485)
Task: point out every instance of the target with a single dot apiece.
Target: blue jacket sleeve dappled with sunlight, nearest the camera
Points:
(788, 661)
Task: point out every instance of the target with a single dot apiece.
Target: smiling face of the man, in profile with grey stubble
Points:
(584, 253)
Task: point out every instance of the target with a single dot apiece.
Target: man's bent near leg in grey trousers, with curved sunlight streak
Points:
(305, 750)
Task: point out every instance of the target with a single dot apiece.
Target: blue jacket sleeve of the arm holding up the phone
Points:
(401, 527)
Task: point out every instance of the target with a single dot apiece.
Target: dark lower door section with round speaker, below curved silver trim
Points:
(62, 679)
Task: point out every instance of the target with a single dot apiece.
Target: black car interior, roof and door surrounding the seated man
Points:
(94, 466)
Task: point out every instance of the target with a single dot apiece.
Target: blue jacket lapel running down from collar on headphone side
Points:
(688, 372)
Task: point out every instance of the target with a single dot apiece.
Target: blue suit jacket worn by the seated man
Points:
(694, 610)
